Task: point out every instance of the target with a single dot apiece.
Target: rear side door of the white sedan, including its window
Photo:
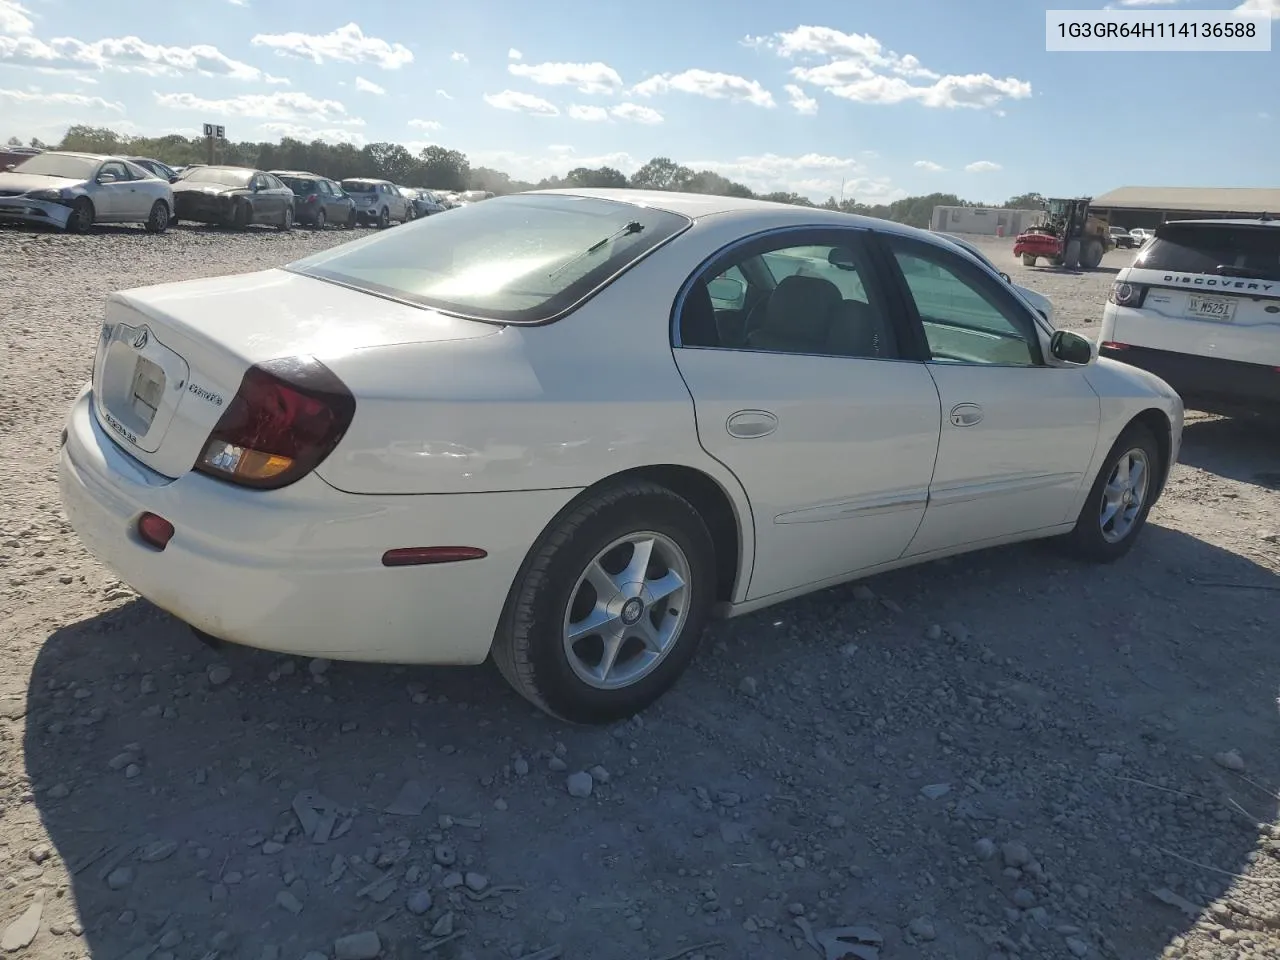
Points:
(812, 400)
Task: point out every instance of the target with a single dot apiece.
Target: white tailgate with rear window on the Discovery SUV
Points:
(1210, 290)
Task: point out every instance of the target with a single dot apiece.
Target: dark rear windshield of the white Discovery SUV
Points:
(1229, 250)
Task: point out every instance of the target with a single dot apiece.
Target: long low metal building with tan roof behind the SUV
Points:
(1151, 207)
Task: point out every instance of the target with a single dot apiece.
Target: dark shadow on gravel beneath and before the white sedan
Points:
(1066, 708)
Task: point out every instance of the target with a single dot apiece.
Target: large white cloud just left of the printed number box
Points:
(860, 68)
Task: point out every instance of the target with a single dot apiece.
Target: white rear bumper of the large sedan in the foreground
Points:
(300, 570)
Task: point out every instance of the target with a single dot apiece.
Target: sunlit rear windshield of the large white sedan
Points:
(518, 259)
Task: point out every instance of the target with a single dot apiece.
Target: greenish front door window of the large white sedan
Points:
(966, 318)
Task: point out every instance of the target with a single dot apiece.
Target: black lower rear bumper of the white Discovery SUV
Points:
(1210, 385)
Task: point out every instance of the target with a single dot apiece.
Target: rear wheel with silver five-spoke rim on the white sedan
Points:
(610, 606)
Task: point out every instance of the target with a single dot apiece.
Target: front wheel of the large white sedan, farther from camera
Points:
(1122, 497)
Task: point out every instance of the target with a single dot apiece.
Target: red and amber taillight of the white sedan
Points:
(285, 420)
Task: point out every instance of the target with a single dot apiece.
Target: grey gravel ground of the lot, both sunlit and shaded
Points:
(1005, 756)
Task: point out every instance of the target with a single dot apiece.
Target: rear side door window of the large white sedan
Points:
(787, 298)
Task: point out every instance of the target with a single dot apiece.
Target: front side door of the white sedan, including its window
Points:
(1017, 435)
